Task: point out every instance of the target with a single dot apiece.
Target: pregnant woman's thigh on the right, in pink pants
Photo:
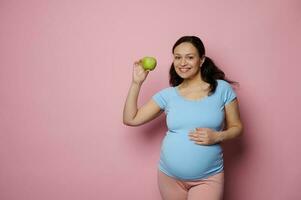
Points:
(211, 188)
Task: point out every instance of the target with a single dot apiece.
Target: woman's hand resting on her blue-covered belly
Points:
(203, 136)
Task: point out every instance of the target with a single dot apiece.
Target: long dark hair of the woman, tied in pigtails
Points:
(209, 71)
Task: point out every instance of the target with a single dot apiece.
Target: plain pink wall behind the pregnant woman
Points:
(65, 70)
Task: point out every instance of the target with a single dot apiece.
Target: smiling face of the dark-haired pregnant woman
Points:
(186, 60)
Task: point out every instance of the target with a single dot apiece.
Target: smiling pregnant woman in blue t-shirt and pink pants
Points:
(201, 111)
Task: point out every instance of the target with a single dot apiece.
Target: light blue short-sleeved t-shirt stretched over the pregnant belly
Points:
(180, 157)
